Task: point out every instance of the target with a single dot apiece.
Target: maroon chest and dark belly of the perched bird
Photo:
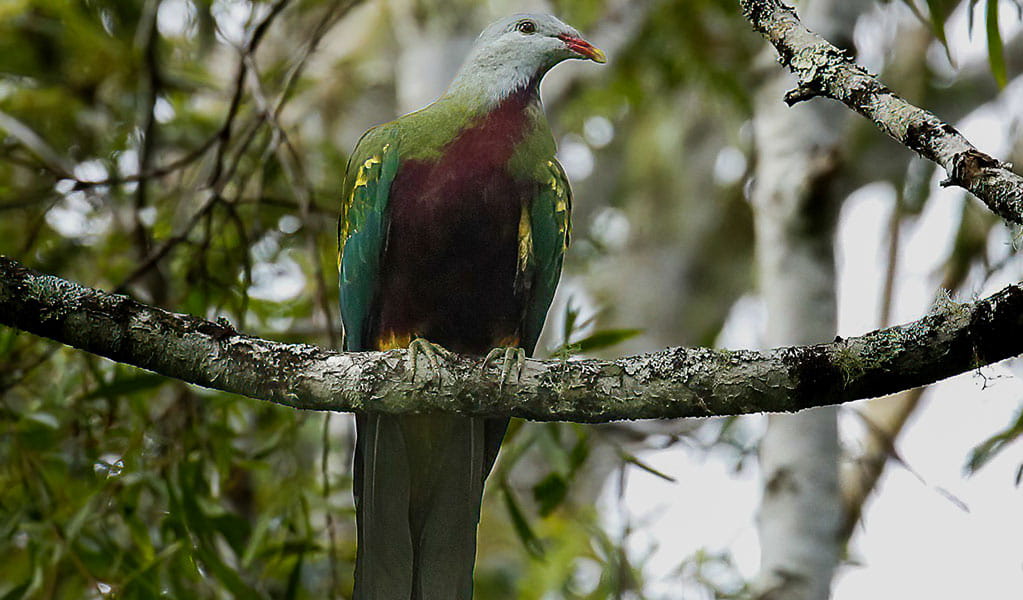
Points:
(450, 265)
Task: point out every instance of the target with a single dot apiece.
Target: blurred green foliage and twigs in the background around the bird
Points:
(189, 153)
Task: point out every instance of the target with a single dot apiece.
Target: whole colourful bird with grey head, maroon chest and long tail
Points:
(455, 221)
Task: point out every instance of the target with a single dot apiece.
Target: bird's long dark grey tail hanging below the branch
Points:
(419, 484)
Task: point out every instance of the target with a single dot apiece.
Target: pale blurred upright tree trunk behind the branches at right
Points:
(795, 218)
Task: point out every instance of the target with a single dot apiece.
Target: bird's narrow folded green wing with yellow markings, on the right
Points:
(550, 228)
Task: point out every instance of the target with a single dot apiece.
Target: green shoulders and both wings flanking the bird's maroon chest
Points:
(372, 168)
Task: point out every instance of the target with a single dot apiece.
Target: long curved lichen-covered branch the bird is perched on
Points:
(674, 383)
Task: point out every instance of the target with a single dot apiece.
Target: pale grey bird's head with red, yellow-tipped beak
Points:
(518, 51)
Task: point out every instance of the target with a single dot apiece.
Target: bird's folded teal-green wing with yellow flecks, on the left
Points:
(363, 230)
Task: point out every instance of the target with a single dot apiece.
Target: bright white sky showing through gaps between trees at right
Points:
(914, 542)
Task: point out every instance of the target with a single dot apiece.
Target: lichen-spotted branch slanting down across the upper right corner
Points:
(824, 70)
